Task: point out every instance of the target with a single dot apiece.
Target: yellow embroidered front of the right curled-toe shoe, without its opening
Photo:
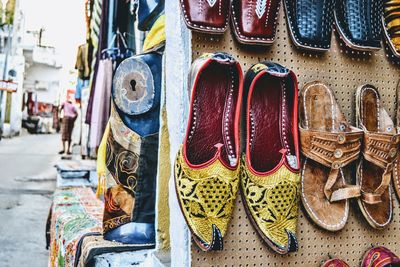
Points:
(271, 202)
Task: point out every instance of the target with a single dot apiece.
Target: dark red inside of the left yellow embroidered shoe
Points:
(213, 114)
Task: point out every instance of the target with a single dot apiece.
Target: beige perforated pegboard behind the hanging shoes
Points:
(343, 71)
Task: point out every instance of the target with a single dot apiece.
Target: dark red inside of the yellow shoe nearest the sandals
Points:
(271, 123)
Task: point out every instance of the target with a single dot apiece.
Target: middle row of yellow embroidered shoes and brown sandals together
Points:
(209, 168)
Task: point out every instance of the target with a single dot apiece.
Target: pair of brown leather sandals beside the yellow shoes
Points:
(330, 144)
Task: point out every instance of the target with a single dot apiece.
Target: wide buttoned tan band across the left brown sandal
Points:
(333, 150)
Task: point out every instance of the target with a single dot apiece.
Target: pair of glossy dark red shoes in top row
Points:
(253, 22)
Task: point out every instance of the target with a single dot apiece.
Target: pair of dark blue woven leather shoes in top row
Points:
(358, 23)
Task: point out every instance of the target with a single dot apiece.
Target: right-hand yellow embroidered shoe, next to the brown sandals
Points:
(270, 178)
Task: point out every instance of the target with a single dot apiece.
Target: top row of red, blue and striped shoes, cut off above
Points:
(359, 23)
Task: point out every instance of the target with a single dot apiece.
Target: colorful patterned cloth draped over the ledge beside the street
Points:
(75, 213)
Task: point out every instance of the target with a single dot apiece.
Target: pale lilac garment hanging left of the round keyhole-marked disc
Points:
(101, 102)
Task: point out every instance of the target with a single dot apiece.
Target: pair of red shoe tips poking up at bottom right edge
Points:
(374, 257)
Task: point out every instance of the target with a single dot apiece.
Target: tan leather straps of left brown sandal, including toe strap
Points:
(333, 150)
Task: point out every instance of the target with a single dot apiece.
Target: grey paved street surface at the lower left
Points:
(27, 179)
